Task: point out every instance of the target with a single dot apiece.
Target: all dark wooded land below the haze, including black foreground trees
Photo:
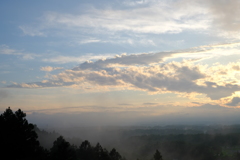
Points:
(21, 140)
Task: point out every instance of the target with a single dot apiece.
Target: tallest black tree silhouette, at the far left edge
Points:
(18, 138)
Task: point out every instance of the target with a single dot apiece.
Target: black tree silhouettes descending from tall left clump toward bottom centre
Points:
(18, 141)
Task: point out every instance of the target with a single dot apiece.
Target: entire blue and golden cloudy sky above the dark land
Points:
(121, 62)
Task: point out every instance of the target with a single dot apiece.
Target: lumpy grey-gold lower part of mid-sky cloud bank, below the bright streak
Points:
(173, 77)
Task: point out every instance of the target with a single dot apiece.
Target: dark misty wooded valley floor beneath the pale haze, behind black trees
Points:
(173, 141)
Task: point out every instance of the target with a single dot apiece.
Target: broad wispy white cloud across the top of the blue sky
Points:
(141, 17)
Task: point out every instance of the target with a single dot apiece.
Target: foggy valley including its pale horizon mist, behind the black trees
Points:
(202, 132)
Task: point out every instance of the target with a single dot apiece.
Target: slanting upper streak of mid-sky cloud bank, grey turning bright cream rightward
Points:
(196, 54)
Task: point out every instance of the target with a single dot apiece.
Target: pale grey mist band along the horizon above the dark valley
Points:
(204, 115)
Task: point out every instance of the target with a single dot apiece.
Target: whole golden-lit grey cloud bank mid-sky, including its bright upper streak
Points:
(147, 72)
